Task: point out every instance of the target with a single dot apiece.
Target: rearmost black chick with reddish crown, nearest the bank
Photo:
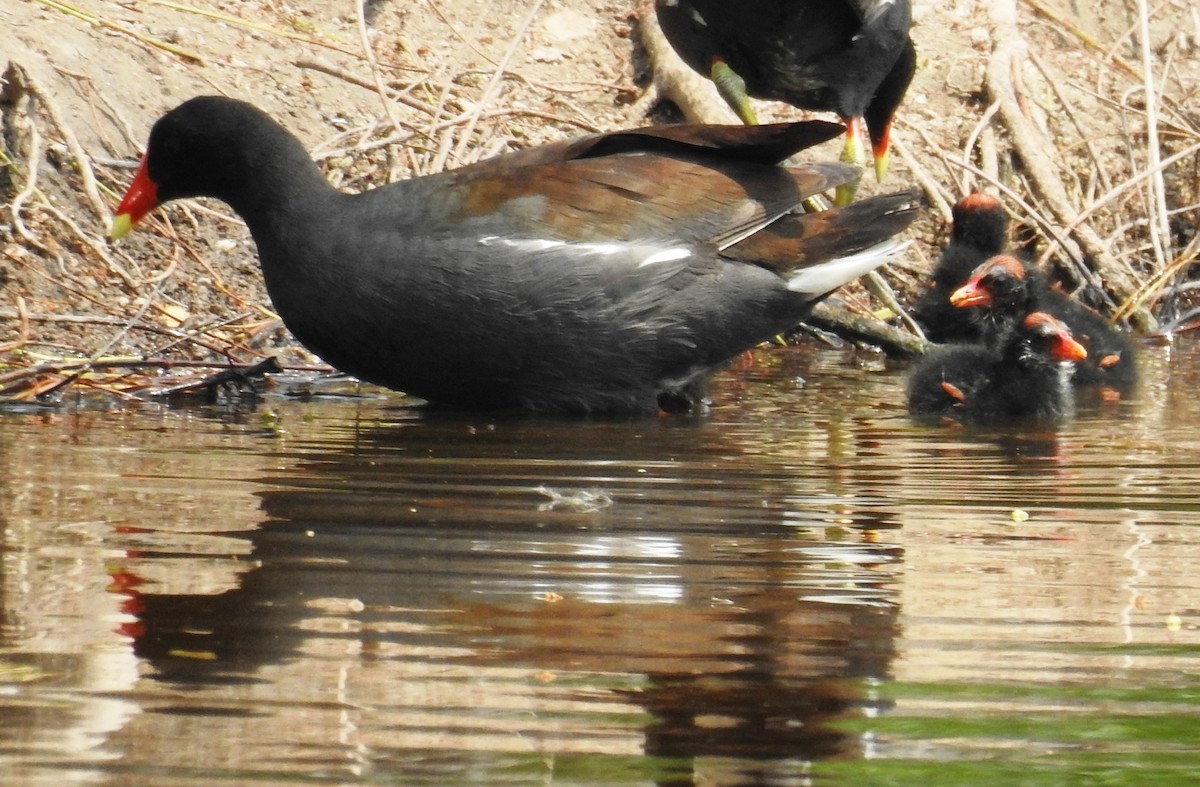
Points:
(979, 232)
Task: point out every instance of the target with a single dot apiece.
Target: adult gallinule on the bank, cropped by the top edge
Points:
(850, 57)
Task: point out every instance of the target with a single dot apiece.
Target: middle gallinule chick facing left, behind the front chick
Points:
(1003, 290)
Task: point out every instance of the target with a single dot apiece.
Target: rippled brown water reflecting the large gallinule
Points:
(801, 587)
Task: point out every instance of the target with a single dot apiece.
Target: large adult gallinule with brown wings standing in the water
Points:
(613, 273)
